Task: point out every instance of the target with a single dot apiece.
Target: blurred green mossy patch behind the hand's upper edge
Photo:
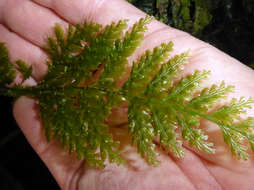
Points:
(188, 15)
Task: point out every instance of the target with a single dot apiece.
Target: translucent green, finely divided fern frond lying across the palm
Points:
(74, 104)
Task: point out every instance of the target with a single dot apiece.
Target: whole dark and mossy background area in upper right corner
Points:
(226, 24)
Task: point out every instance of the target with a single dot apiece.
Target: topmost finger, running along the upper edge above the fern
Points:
(102, 12)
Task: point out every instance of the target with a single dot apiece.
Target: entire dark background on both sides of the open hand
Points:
(226, 24)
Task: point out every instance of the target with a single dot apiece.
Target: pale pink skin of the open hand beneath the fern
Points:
(24, 26)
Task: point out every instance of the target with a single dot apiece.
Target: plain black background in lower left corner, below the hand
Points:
(20, 167)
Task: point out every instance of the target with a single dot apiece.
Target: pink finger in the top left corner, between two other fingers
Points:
(29, 20)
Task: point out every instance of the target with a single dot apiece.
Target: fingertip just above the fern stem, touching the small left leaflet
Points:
(22, 49)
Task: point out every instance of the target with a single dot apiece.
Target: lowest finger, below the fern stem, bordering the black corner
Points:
(64, 168)
